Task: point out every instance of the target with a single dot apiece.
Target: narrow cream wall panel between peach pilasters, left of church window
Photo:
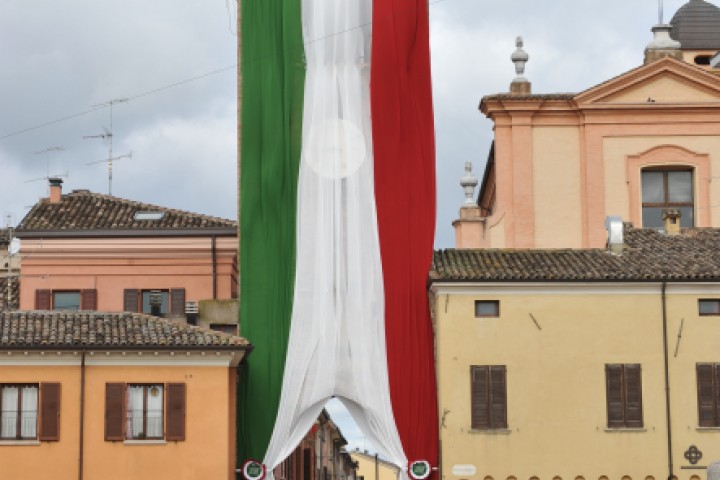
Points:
(557, 181)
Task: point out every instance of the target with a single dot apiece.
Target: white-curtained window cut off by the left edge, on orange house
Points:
(18, 412)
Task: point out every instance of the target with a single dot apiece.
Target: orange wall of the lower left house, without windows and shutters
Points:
(207, 452)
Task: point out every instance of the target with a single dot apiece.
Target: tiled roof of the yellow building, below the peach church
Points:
(649, 255)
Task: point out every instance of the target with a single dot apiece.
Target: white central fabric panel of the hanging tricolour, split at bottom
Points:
(336, 345)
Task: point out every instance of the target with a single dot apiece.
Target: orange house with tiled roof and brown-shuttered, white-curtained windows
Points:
(87, 395)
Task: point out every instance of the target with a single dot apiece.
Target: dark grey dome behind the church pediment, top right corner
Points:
(697, 26)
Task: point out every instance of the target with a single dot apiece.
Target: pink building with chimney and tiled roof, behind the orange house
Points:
(88, 251)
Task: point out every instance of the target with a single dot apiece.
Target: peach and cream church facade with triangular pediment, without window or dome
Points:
(563, 165)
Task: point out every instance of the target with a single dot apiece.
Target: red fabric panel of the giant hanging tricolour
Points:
(403, 136)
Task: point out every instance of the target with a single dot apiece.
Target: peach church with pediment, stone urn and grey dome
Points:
(629, 147)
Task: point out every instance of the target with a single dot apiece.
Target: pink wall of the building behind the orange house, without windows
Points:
(111, 265)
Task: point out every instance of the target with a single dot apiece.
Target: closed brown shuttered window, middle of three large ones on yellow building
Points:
(624, 395)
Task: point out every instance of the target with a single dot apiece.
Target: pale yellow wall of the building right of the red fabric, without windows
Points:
(556, 391)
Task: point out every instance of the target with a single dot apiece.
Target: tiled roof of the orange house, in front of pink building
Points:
(97, 330)
